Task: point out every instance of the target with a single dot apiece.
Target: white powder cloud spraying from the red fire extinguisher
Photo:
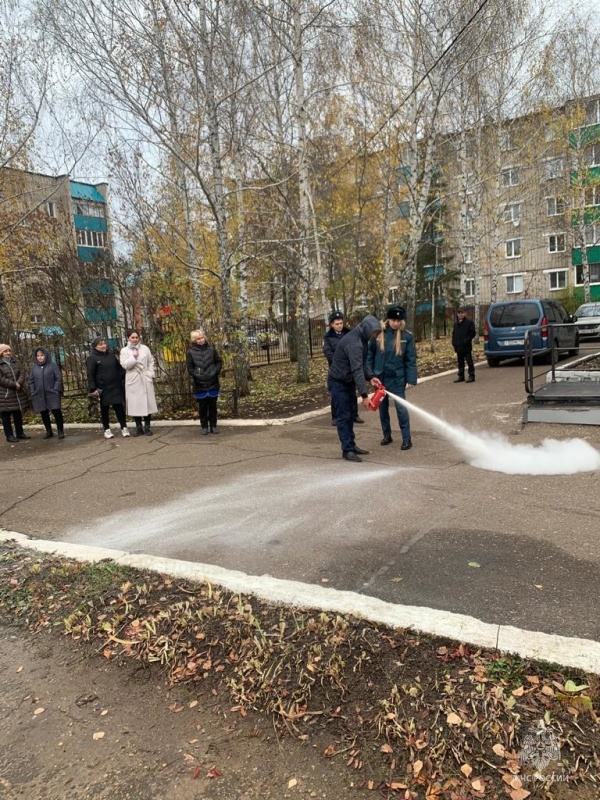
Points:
(494, 452)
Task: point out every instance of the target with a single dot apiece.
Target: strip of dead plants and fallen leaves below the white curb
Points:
(416, 717)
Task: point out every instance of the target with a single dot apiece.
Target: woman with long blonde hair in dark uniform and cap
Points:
(393, 360)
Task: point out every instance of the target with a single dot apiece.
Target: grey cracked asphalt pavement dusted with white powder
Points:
(421, 528)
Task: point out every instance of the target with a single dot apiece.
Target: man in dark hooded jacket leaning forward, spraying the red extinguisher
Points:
(348, 374)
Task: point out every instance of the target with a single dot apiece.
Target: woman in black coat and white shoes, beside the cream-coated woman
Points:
(105, 382)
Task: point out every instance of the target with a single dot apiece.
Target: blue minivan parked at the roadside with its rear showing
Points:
(506, 324)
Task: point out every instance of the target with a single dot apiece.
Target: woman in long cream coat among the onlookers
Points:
(138, 363)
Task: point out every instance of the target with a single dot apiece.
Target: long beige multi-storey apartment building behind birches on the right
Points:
(521, 206)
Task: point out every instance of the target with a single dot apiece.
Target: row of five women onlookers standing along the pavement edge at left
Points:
(123, 382)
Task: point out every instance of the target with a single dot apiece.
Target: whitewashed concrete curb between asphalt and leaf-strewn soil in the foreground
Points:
(583, 654)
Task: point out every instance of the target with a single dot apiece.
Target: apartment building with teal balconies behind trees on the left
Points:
(56, 233)
